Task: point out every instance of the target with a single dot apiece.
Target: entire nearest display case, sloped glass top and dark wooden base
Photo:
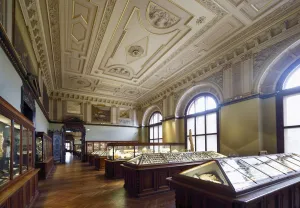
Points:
(255, 181)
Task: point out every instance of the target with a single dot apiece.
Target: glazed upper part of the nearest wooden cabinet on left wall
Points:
(15, 136)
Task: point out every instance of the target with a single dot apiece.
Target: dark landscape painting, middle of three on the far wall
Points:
(101, 114)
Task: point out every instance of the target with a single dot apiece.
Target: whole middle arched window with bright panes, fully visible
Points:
(202, 120)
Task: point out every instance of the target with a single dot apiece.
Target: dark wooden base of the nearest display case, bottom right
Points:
(281, 195)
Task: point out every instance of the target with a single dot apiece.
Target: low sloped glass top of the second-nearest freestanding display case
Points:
(169, 158)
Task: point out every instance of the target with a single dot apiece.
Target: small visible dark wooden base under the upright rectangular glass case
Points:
(113, 169)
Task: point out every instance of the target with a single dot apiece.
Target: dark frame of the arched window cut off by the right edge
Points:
(280, 94)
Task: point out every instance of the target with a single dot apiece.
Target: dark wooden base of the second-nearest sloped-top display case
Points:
(148, 180)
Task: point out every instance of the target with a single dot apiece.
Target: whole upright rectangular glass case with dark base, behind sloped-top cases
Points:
(118, 153)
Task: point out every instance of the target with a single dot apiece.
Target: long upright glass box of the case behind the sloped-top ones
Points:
(125, 151)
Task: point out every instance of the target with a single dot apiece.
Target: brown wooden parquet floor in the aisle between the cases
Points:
(78, 185)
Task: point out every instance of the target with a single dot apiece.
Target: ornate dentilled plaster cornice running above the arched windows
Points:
(199, 70)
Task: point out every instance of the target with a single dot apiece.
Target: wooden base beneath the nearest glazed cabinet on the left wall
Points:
(21, 194)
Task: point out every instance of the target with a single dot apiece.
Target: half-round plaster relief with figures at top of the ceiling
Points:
(161, 18)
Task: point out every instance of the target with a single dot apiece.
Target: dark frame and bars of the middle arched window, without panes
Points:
(204, 113)
